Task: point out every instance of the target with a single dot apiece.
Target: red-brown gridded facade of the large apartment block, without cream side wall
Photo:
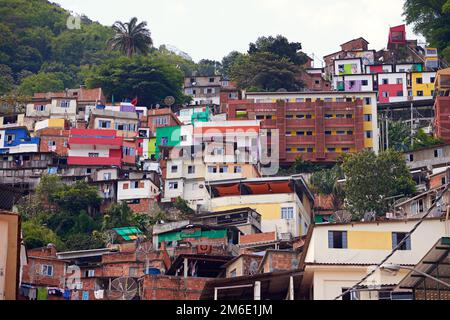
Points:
(317, 131)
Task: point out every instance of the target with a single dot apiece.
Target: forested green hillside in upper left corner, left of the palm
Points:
(34, 33)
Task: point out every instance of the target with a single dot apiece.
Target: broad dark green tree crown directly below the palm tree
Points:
(150, 78)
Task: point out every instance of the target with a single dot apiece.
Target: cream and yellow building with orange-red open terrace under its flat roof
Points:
(285, 203)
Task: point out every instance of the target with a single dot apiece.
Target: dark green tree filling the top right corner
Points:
(431, 18)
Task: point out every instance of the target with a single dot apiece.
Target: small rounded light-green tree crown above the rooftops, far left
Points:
(41, 82)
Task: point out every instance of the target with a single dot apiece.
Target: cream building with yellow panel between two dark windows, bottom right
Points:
(337, 256)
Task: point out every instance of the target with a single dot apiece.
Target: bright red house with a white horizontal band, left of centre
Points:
(91, 147)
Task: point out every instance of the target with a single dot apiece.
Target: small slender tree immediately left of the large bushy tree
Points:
(326, 182)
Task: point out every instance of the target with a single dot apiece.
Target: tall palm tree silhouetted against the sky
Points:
(131, 37)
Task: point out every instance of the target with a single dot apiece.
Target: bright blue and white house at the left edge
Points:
(17, 140)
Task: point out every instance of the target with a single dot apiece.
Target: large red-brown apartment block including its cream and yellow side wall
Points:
(314, 126)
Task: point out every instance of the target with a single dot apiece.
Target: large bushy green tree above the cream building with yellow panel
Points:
(371, 180)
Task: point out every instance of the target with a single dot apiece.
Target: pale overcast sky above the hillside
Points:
(212, 28)
